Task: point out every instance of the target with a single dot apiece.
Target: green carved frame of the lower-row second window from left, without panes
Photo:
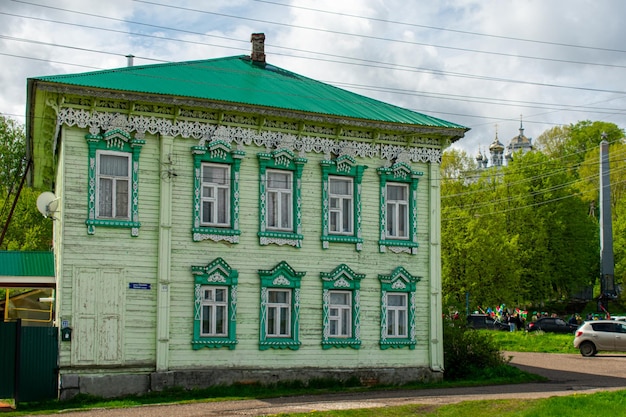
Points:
(282, 276)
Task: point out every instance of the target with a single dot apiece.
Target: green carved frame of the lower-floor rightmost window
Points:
(399, 285)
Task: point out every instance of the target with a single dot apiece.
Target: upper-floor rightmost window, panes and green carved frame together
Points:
(398, 208)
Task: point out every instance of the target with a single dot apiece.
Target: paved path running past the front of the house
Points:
(567, 374)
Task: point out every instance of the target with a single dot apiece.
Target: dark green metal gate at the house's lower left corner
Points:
(28, 362)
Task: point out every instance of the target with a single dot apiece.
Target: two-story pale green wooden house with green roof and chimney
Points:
(226, 220)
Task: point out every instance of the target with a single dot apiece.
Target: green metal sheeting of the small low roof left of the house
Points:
(26, 264)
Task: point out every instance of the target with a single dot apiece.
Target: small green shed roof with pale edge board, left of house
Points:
(26, 269)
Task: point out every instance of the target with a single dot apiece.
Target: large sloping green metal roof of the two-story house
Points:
(238, 80)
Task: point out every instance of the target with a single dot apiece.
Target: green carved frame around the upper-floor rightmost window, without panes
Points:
(401, 176)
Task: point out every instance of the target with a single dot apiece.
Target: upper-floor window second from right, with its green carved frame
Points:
(341, 201)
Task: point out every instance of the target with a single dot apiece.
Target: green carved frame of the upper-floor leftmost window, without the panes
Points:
(115, 142)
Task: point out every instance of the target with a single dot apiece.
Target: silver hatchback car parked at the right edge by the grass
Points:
(596, 335)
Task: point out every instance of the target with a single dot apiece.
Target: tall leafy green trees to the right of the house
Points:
(528, 233)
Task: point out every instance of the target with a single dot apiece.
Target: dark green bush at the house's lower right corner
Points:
(468, 353)
